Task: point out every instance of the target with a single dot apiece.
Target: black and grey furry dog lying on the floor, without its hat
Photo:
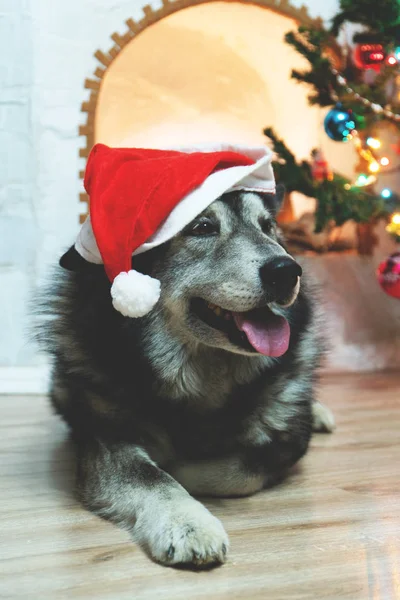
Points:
(210, 394)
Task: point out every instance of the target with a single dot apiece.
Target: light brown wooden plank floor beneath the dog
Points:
(331, 531)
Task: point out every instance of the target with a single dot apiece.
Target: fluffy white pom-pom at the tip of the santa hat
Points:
(134, 294)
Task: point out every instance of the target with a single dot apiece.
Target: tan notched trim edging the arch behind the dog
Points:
(151, 16)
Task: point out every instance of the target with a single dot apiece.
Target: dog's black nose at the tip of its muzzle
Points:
(280, 275)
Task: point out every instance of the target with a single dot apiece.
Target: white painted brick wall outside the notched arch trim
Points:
(47, 51)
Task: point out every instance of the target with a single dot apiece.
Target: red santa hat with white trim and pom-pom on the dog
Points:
(141, 198)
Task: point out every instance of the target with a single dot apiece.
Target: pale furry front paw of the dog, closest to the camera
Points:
(184, 534)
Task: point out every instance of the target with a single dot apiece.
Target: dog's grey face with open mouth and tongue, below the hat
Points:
(226, 279)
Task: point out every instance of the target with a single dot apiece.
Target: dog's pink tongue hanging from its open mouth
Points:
(270, 338)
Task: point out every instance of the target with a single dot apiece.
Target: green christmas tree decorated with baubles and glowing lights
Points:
(360, 82)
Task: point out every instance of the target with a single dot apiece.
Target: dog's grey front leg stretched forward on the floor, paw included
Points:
(121, 483)
